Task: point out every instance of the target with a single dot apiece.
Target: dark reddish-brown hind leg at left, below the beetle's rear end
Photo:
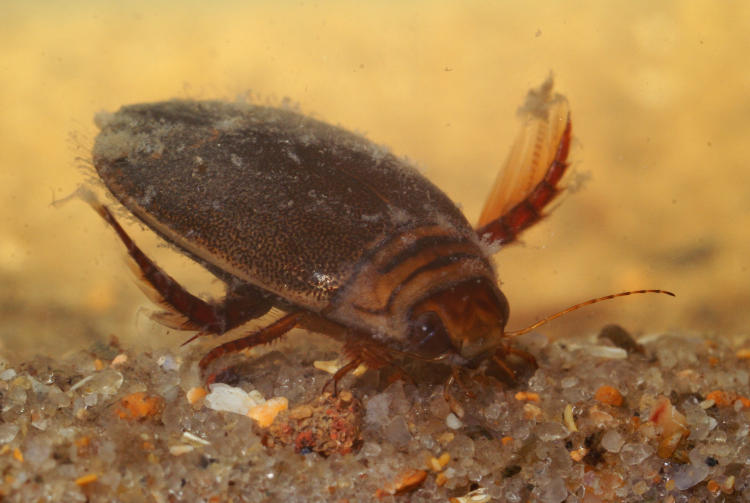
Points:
(185, 311)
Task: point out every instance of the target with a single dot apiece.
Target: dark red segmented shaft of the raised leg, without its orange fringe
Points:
(507, 227)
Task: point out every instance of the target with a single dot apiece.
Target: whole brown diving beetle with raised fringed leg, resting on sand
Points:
(337, 232)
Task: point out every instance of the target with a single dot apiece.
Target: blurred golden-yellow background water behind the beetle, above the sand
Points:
(660, 94)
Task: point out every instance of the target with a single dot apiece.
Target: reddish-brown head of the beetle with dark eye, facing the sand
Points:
(464, 322)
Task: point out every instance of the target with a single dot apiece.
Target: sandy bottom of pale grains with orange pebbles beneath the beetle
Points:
(606, 419)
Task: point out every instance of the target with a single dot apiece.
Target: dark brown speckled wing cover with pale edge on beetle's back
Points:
(274, 198)
